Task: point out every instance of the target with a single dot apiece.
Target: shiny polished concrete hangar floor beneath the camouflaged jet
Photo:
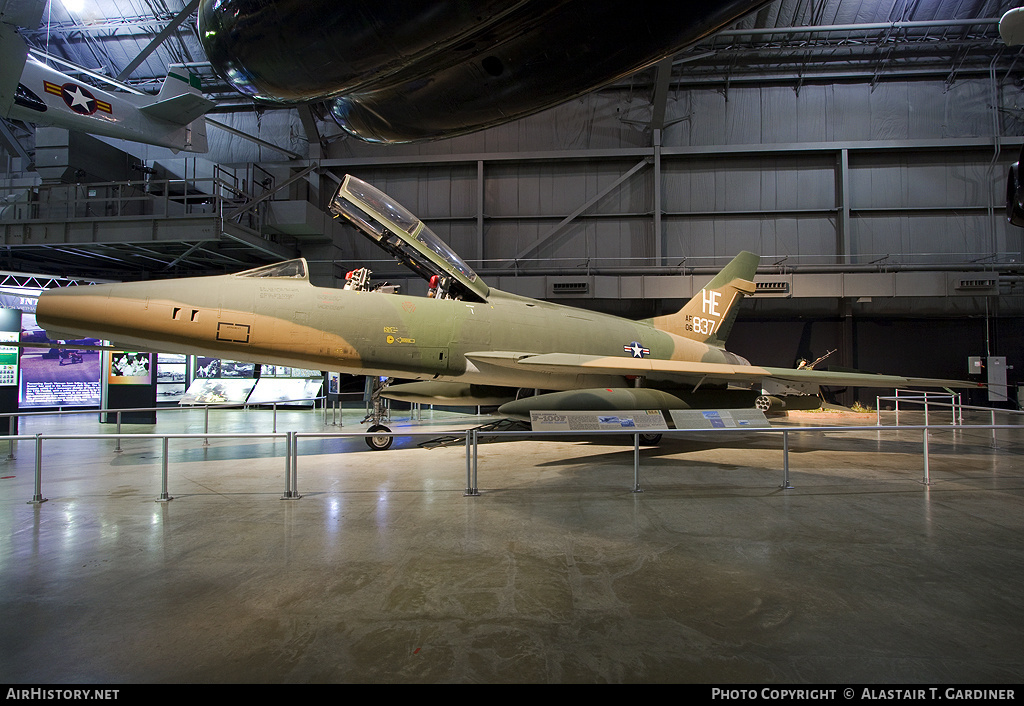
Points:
(386, 572)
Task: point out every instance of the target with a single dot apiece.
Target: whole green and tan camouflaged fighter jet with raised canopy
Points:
(464, 344)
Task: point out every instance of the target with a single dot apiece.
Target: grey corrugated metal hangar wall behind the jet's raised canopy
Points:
(752, 168)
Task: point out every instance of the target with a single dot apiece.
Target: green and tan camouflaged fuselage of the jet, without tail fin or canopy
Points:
(292, 322)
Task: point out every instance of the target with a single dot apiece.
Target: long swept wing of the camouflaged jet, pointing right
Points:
(695, 373)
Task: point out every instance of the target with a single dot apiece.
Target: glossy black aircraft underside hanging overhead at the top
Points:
(417, 71)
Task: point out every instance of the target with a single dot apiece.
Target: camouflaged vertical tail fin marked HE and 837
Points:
(709, 316)
